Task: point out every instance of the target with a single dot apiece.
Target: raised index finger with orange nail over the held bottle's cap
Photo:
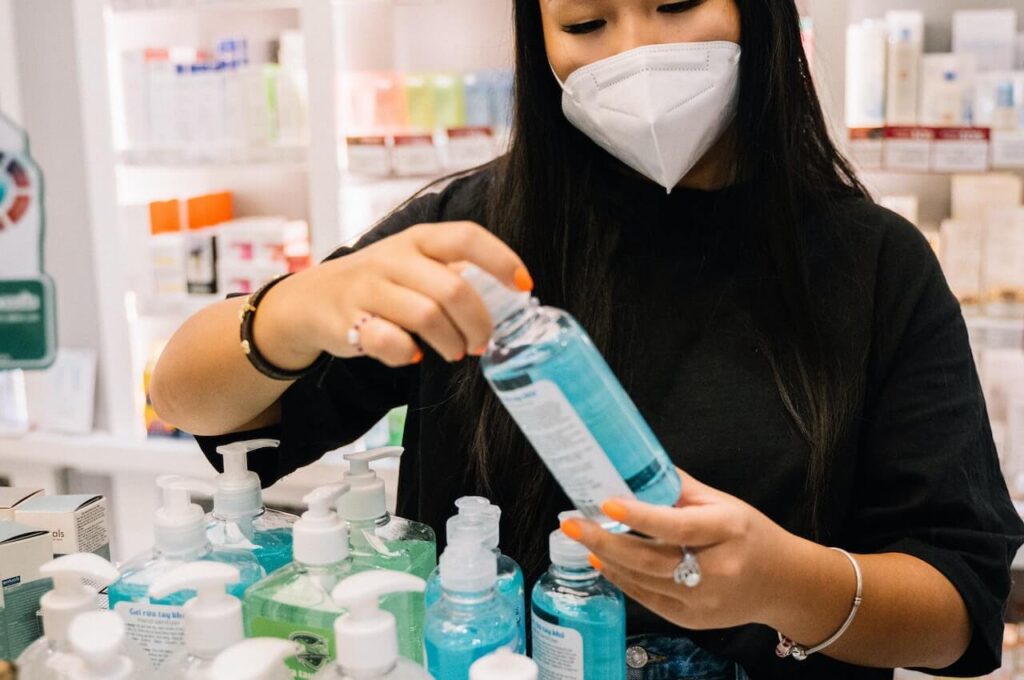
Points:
(453, 242)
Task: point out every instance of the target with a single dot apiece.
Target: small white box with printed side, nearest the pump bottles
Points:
(76, 523)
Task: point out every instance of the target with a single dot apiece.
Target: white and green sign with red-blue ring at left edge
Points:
(28, 313)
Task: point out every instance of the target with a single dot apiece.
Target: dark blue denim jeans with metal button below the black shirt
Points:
(658, 658)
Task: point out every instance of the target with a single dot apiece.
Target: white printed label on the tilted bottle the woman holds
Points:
(566, 445)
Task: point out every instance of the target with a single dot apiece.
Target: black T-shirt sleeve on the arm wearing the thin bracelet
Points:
(929, 483)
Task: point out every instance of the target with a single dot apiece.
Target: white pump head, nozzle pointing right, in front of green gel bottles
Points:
(367, 637)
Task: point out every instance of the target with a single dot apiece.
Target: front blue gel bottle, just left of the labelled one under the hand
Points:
(471, 620)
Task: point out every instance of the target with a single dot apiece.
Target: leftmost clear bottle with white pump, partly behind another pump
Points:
(48, 658)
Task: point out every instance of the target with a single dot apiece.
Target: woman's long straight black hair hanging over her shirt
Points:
(542, 204)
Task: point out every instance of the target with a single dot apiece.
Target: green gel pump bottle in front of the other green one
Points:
(294, 603)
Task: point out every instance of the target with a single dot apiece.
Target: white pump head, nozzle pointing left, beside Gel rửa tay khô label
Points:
(214, 619)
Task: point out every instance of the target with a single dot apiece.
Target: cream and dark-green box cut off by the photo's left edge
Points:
(23, 551)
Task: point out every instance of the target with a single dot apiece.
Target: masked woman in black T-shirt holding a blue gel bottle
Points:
(794, 347)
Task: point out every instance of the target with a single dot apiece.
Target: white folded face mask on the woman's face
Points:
(658, 109)
